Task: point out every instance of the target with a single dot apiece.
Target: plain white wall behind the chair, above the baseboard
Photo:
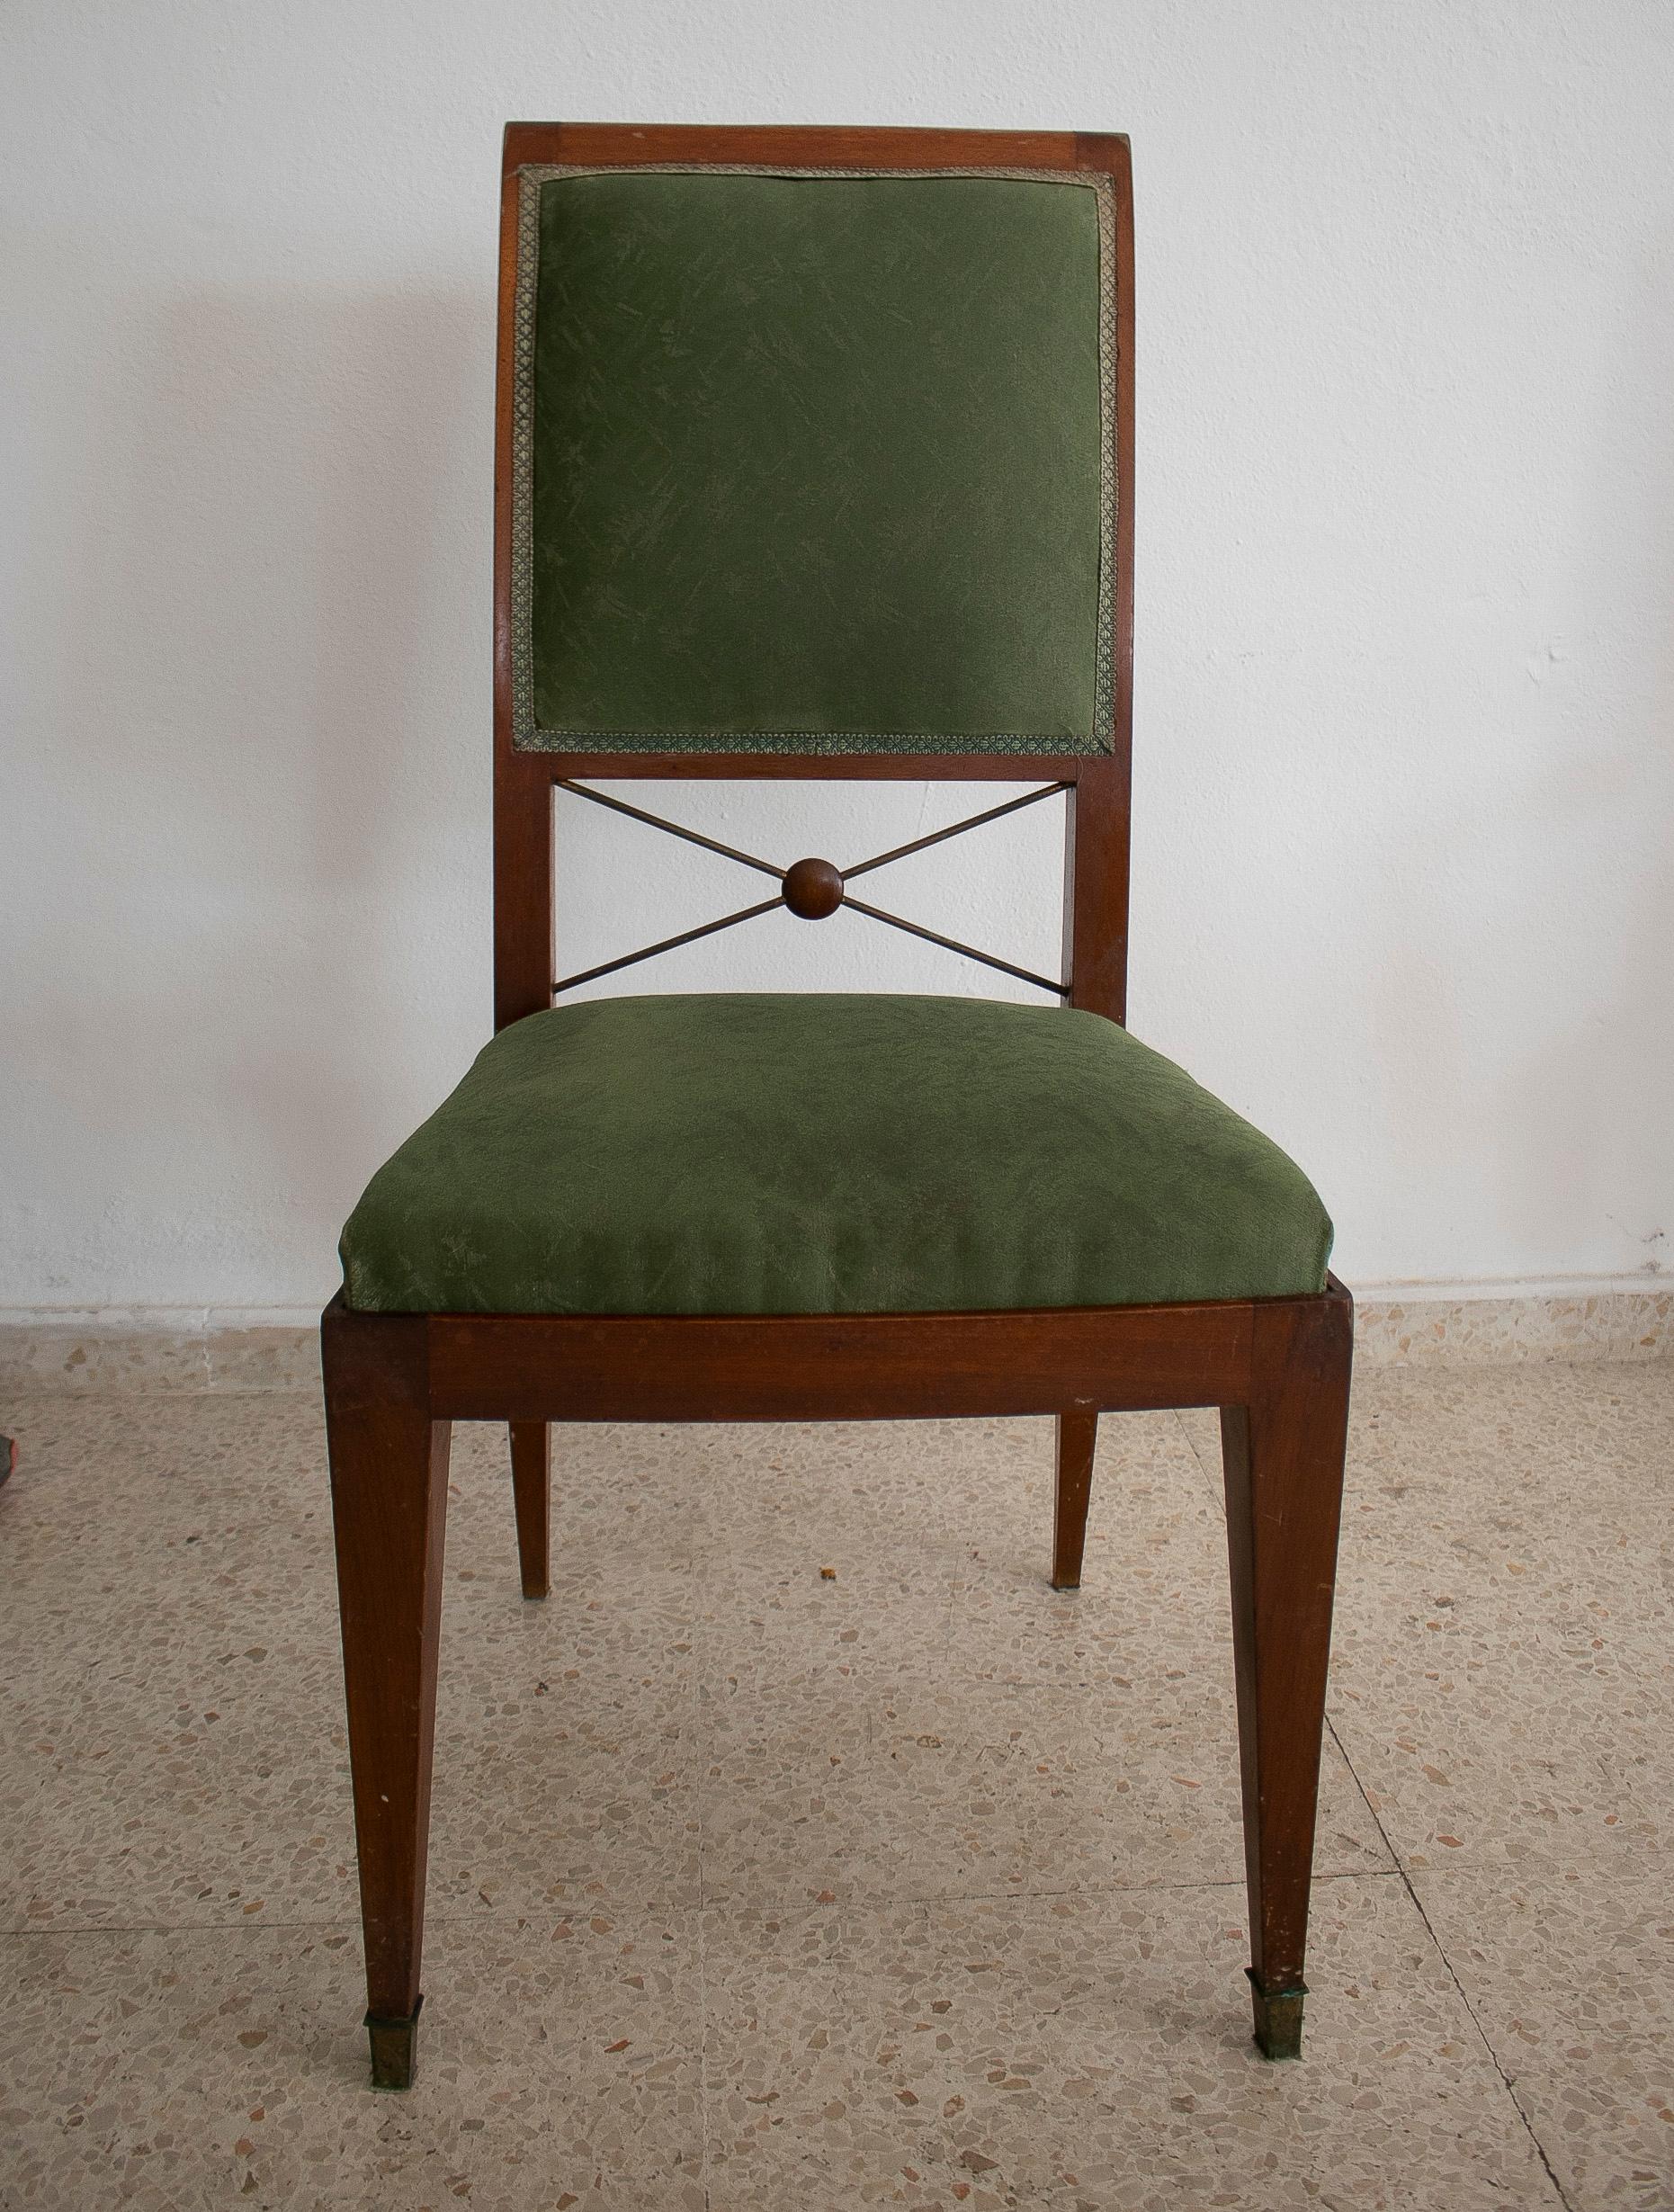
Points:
(1405, 596)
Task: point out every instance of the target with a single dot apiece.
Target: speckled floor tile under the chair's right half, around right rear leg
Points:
(881, 1733)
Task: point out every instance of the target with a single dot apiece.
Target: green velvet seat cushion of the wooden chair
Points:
(828, 1156)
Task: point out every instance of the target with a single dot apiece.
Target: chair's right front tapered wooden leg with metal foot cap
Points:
(1284, 1468)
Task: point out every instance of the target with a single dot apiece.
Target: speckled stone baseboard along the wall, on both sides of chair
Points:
(238, 1348)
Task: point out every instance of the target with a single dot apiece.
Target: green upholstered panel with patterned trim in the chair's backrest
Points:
(813, 461)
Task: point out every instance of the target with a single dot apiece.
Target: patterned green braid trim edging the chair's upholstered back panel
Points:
(527, 735)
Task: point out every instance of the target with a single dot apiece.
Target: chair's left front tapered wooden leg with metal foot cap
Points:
(388, 1510)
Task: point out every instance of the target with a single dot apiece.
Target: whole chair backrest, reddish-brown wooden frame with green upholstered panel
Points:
(815, 459)
